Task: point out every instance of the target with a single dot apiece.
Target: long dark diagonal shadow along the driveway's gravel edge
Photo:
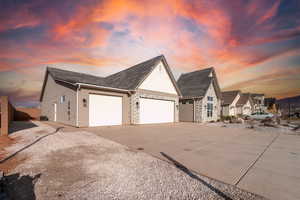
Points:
(188, 172)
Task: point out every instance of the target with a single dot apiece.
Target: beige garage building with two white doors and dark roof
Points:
(144, 93)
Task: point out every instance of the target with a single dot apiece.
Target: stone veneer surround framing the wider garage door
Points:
(135, 118)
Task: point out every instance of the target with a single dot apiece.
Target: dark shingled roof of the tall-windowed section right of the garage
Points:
(196, 83)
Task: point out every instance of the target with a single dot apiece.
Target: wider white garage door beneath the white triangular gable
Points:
(156, 111)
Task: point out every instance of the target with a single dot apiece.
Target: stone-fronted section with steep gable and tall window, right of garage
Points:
(201, 96)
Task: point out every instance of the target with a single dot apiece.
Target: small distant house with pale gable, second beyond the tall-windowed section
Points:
(245, 104)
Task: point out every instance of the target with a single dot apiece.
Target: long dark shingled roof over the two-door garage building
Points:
(128, 79)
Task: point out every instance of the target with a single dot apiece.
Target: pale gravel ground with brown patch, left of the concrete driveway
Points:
(81, 165)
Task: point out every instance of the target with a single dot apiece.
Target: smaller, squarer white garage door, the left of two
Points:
(105, 110)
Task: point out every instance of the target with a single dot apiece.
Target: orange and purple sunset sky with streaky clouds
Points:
(254, 45)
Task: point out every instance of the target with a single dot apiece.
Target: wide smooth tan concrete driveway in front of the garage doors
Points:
(266, 163)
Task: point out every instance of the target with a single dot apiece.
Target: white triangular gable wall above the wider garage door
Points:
(159, 80)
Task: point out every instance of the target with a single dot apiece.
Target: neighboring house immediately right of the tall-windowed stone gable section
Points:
(229, 101)
